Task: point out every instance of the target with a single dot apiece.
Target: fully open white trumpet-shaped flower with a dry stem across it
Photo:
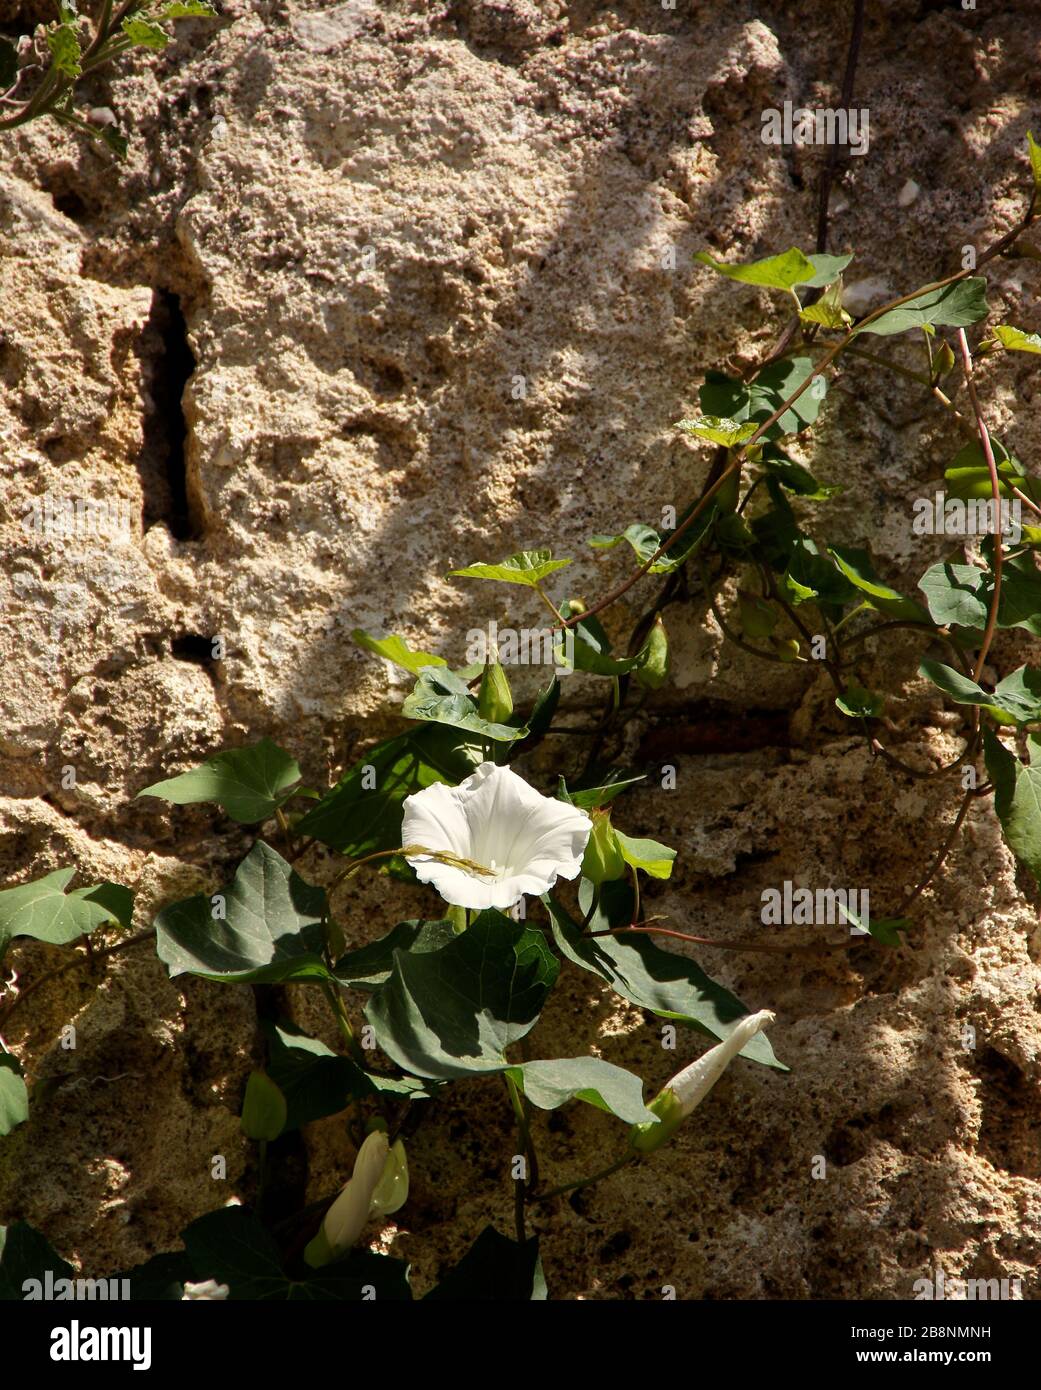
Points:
(504, 837)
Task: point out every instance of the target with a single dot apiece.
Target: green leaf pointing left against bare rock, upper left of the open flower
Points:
(249, 783)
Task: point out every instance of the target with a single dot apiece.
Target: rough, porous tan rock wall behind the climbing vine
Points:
(347, 231)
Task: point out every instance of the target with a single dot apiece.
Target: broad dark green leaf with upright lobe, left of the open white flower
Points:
(272, 931)
